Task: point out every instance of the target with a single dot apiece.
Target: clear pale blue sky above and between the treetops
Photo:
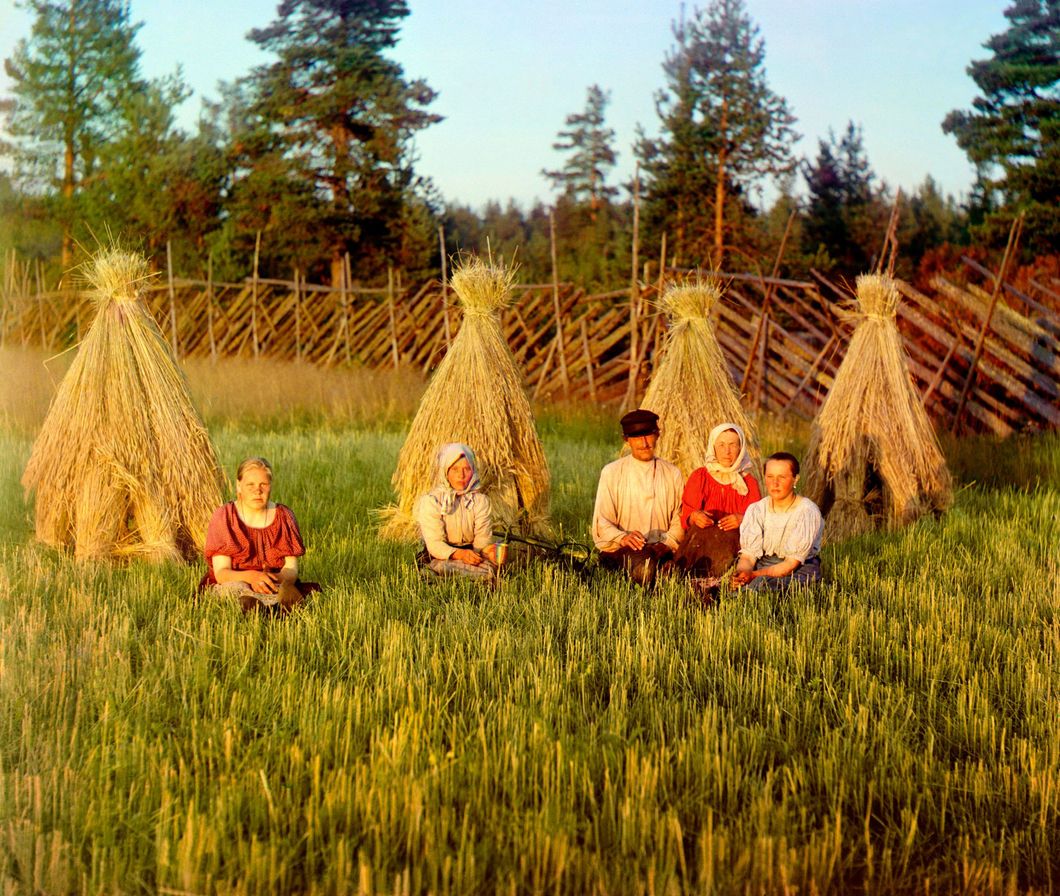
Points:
(509, 73)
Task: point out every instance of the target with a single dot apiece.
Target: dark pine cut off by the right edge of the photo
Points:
(1013, 133)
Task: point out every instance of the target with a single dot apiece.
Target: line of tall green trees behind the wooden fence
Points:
(315, 151)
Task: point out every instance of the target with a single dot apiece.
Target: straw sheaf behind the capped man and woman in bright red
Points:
(692, 390)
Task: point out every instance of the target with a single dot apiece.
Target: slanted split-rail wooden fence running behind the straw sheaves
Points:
(783, 339)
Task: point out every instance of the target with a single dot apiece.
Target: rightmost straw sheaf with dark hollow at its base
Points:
(874, 460)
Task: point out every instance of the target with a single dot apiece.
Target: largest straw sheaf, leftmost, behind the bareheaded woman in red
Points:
(123, 465)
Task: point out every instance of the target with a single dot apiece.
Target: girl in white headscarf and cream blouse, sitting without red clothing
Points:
(455, 518)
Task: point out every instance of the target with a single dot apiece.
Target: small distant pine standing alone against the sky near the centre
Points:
(584, 177)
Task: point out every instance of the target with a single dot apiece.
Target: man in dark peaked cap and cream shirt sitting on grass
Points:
(637, 523)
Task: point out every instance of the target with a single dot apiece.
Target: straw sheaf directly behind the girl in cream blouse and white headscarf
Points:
(476, 397)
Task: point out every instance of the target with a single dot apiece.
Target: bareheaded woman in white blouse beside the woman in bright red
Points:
(781, 535)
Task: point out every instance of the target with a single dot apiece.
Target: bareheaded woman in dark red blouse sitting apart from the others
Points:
(253, 546)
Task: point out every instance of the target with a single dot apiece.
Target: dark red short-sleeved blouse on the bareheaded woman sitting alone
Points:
(249, 548)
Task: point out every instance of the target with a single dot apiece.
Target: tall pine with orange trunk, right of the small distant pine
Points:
(722, 126)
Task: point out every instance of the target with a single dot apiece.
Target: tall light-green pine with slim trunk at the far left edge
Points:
(72, 79)
